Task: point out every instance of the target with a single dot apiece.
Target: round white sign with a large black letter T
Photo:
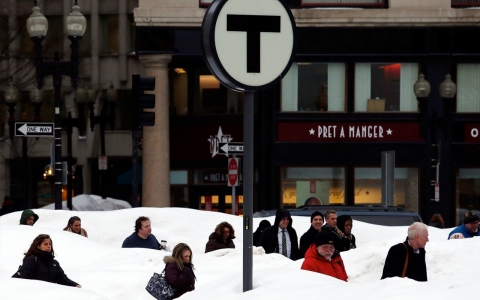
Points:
(248, 44)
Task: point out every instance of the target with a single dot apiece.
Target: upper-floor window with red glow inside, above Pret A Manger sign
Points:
(385, 87)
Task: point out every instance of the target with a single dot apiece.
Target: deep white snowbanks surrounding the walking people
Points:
(106, 271)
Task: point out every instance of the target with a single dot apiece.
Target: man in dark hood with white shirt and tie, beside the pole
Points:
(281, 237)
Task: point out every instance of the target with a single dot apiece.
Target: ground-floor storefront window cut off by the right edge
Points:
(468, 195)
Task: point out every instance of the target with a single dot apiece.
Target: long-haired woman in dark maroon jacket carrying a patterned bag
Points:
(179, 270)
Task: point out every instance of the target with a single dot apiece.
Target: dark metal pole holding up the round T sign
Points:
(248, 190)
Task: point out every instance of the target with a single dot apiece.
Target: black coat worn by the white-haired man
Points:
(395, 261)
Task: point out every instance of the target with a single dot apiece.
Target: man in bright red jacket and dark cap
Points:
(321, 257)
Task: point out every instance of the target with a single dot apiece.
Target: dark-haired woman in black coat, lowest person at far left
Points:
(39, 263)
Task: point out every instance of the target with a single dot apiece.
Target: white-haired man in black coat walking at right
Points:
(407, 259)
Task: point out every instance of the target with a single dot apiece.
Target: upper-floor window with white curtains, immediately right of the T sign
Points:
(314, 87)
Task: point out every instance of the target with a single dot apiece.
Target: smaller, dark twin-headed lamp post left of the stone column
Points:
(107, 116)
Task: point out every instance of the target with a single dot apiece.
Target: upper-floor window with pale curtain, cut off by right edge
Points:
(468, 88)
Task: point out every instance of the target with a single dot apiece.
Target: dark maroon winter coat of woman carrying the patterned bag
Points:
(183, 281)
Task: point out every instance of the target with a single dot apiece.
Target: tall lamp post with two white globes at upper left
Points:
(37, 27)
